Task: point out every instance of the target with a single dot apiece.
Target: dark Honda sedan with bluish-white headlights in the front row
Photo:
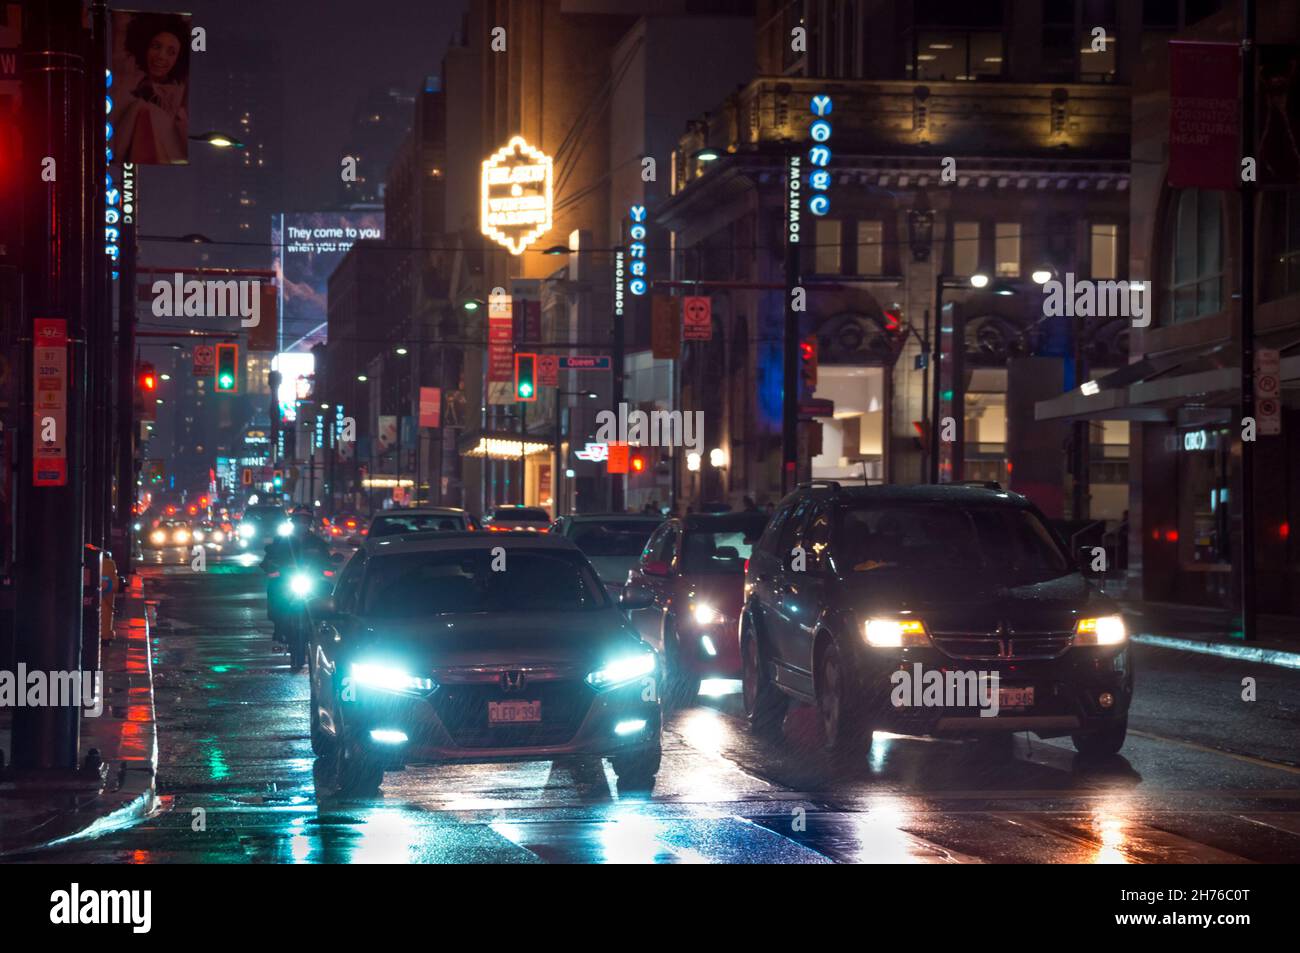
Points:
(450, 648)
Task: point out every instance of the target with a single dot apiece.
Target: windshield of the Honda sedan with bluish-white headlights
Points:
(404, 586)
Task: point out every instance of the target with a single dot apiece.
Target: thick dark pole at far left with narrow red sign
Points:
(51, 484)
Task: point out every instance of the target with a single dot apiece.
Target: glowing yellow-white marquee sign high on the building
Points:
(517, 196)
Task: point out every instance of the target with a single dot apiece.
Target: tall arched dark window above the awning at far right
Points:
(1195, 242)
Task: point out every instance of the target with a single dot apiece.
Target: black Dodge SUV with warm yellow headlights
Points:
(930, 610)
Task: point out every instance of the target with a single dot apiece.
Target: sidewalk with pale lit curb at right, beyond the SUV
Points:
(1214, 633)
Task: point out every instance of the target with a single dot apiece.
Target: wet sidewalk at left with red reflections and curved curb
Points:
(124, 734)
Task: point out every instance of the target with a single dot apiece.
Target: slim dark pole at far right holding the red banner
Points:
(1246, 285)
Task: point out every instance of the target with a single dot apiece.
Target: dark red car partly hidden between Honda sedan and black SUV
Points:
(694, 571)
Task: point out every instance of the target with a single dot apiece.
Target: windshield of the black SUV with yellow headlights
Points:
(944, 538)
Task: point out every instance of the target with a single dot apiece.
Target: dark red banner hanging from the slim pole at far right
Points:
(1204, 106)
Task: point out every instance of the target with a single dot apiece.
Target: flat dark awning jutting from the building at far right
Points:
(1155, 388)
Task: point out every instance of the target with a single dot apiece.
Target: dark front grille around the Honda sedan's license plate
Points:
(463, 711)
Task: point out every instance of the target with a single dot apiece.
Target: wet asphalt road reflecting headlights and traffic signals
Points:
(1204, 778)
